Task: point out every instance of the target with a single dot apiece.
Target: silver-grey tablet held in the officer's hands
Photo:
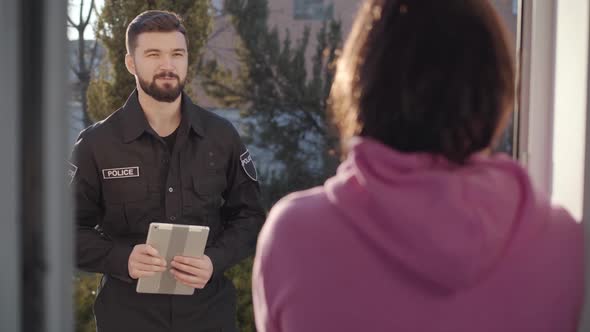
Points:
(172, 240)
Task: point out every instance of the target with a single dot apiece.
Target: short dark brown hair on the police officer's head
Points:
(153, 21)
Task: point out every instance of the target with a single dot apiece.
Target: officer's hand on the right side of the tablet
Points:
(192, 271)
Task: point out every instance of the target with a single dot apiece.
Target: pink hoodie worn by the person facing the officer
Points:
(407, 242)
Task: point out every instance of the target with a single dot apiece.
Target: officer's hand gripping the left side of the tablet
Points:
(145, 261)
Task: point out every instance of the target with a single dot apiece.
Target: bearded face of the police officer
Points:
(160, 63)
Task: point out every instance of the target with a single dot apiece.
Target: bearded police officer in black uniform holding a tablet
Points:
(161, 158)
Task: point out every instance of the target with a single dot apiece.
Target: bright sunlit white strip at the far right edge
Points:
(569, 118)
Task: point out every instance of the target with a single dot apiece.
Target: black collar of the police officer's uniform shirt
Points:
(135, 123)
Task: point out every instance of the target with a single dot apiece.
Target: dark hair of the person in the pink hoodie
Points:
(425, 76)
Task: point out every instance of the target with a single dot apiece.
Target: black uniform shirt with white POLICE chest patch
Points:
(124, 177)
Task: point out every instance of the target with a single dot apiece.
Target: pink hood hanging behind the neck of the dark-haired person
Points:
(445, 224)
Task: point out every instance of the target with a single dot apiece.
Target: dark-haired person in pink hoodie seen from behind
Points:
(422, 228)
